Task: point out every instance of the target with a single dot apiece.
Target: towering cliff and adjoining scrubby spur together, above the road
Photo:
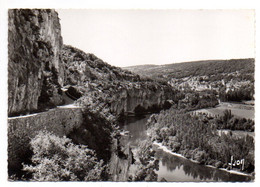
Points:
(39, 66)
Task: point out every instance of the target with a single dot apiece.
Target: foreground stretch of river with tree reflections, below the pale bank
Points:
(174, 168)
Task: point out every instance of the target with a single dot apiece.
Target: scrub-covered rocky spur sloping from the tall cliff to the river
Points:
(107, 87)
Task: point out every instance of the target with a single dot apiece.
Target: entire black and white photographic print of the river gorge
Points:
(131, 95)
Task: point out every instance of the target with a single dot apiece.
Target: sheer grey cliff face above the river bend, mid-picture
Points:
(140, 98)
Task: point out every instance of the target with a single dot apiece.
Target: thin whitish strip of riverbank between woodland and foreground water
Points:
(165, 149)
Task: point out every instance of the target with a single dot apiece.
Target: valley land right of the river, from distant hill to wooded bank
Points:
(219, 95)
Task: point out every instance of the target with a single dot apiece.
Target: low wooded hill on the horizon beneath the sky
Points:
(194, 68)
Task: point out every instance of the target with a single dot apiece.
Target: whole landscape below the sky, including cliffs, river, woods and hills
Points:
(74, 117)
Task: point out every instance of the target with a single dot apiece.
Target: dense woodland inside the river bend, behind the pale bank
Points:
(197, 139)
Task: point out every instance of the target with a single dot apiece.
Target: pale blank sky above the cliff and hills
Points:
(133, 37)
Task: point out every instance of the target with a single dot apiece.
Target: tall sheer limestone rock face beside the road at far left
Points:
(35, 69)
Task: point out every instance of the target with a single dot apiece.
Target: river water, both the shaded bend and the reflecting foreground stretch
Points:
(174, 168)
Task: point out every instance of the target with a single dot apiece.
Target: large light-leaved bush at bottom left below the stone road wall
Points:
(58, 159)
